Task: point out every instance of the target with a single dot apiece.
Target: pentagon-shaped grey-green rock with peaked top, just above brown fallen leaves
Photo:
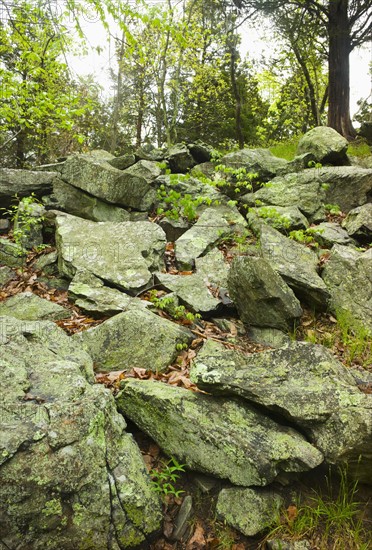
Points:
(135, 338)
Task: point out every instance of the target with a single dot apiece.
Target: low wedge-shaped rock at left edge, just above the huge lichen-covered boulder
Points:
(30, 307)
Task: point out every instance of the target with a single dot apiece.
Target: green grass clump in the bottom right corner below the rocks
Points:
(328, 519)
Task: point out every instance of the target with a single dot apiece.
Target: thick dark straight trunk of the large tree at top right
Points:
(338, 65)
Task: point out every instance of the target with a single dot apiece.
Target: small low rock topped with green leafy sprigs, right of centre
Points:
(288, 218)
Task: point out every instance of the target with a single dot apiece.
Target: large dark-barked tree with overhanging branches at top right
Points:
(347, 24)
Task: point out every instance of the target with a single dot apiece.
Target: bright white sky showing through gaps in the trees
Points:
(253, 44)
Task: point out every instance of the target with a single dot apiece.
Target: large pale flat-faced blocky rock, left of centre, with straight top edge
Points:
(123, 254)
